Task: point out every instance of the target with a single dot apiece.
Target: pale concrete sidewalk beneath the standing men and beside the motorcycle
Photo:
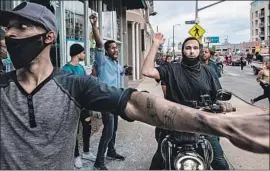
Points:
(136, 140)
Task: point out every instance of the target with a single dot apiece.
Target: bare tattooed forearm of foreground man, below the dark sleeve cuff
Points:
(249, 132)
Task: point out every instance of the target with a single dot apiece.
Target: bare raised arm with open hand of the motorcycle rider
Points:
(148, 68)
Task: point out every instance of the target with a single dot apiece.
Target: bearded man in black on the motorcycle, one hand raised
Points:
(186, 82)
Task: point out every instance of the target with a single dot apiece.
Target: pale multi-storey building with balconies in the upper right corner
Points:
(260, 21)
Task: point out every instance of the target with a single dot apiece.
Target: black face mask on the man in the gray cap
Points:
(24, 51)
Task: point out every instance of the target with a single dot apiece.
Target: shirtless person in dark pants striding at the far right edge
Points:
(264, 79)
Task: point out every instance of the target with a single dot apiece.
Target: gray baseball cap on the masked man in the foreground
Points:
(33, 12)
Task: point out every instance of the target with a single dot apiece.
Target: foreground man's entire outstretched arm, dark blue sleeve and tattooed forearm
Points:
(249, 132)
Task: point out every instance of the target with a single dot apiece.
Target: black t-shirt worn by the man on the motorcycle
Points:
(185, 84)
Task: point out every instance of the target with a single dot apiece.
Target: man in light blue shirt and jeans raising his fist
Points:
(109, 72)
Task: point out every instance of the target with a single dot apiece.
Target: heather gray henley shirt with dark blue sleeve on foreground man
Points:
(38, 130)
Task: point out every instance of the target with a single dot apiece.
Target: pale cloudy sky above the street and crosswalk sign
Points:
(228, 19)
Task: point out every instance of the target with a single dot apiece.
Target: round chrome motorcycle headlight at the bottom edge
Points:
(189, 162)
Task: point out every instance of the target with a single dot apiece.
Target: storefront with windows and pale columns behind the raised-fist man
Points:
(74, 27)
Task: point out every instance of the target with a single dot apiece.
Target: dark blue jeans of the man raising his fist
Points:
(107, 140)
